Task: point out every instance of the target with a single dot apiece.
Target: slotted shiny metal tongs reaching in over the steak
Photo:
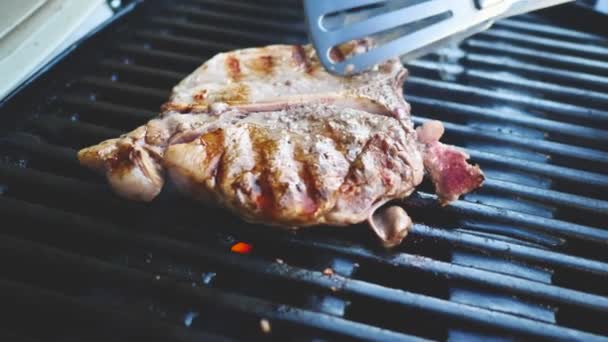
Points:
(406, 28)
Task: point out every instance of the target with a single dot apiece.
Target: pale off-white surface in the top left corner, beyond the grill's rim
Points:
(38, 33)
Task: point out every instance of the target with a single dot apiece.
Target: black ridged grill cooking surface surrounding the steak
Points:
(524, 257)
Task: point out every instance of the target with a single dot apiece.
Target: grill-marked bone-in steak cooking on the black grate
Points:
(270, 135)
